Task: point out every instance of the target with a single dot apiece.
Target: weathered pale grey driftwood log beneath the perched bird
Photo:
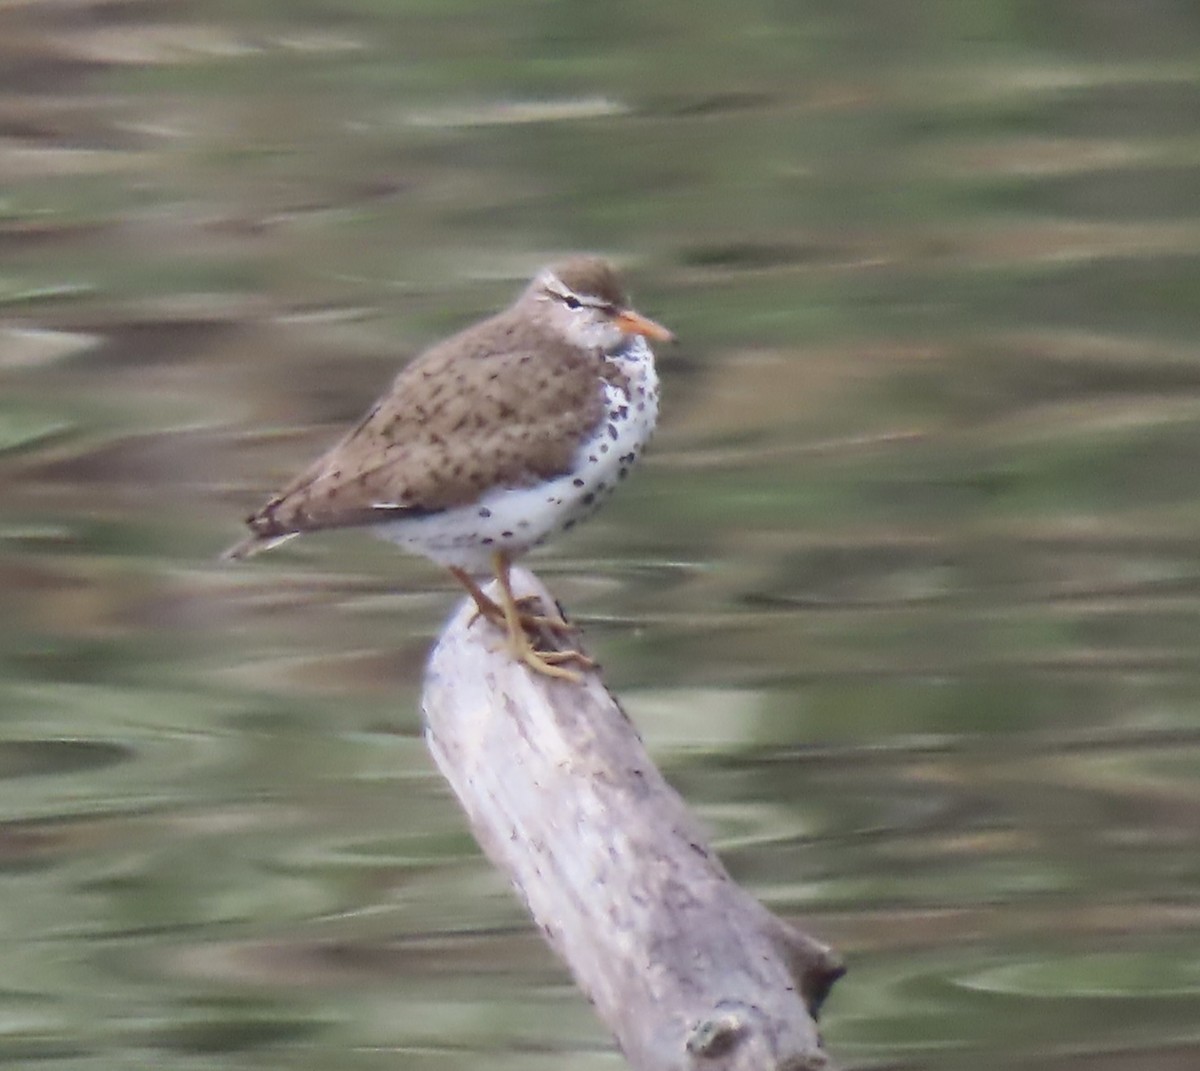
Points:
(688, 971)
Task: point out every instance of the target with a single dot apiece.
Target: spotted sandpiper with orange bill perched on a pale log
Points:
(491, 442)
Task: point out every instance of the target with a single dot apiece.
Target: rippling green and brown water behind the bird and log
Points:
(905, 600)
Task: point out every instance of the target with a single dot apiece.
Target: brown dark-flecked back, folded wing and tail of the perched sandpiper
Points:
(497, 405)
